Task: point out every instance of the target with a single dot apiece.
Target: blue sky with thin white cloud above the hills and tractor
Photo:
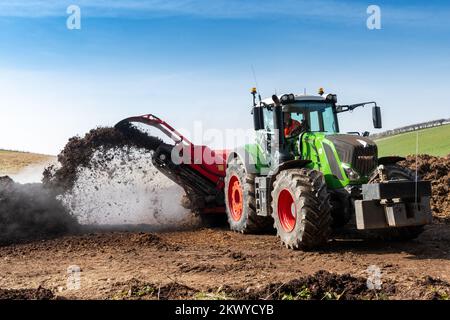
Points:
(190, 60)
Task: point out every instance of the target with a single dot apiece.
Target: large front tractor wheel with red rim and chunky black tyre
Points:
(301, 209)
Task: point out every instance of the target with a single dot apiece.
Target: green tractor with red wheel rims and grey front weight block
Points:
(307, 180)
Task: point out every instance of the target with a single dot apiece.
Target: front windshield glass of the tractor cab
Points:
(318, 115)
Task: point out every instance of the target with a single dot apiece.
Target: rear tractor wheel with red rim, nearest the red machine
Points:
(240, 200)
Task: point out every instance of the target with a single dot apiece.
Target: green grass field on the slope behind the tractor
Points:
(433, 141)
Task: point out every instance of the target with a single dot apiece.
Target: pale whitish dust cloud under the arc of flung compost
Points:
(122, 187)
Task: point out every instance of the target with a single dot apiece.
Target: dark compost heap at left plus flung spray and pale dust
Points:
(105, 177)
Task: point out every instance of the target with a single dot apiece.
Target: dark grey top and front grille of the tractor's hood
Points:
(359, 152)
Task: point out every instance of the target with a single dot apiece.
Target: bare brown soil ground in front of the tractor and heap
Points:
(219, 264)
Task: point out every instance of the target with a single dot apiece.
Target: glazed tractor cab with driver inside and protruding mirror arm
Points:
(281, 121)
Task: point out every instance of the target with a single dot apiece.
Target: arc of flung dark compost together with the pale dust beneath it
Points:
(108, 178)
